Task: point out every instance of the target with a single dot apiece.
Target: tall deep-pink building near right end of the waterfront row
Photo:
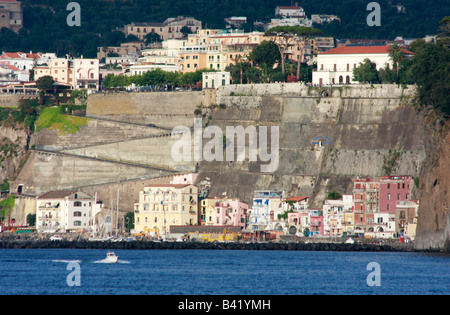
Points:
(394, 189)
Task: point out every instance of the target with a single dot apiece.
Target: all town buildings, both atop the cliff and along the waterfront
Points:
(381, 207)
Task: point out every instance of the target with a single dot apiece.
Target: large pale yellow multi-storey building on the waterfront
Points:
(161, 206)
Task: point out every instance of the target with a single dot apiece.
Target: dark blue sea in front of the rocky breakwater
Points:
(222, 272)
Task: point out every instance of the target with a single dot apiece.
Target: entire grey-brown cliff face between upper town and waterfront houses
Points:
(372, 131)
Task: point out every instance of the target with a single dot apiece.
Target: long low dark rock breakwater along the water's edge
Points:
(170, 245)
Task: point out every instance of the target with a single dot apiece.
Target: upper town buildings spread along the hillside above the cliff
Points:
(181, 45)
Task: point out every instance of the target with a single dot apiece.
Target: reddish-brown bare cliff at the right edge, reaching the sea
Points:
(433, 230)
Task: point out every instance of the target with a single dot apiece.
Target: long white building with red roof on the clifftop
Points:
(336, 66)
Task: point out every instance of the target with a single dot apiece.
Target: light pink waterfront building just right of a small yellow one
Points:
(231, 212)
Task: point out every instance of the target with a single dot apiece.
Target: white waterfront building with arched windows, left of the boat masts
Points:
(64, 211)
